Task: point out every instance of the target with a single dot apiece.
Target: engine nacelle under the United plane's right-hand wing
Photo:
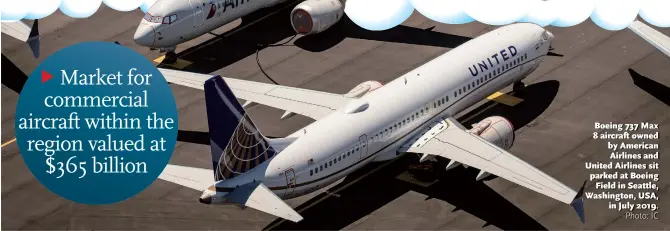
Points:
(497, 130)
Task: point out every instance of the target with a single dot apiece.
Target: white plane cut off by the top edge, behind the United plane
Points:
(172, 22)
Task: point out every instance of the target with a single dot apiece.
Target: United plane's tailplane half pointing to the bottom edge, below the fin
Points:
(257, 196)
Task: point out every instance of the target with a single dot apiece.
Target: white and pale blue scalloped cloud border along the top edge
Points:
(386, 14)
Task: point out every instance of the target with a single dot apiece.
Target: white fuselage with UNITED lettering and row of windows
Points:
(374, 127)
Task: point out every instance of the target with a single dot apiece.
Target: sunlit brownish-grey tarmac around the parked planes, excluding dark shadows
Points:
(566, 95)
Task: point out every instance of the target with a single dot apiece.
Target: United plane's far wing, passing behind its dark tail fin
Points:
(313, 104)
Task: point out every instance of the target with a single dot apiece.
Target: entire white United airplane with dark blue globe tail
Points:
(411, 114)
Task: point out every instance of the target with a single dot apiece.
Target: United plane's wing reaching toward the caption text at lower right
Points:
(449, 139)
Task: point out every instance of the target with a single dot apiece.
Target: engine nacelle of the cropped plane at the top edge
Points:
(316, 16)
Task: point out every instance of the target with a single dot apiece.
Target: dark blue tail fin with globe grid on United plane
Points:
(236, 144)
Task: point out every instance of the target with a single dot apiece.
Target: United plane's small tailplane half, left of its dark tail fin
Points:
(194, 178)
